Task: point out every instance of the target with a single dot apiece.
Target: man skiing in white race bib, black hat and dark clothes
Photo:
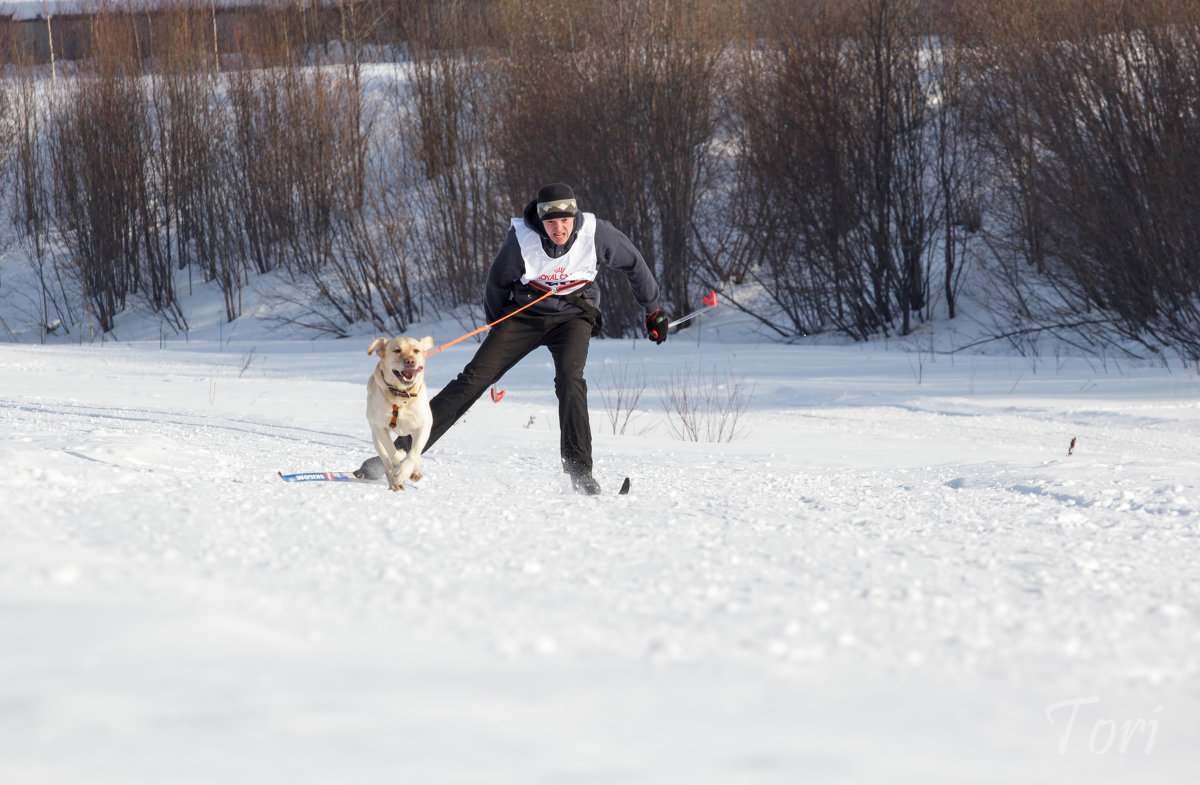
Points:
(554, 248)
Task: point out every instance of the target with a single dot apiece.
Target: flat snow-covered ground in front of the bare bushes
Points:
(897, 574)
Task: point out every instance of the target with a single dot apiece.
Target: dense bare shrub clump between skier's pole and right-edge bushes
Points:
(839, 133)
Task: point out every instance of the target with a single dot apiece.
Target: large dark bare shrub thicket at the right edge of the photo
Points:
(1095, 119)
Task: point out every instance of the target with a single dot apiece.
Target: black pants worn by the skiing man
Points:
(509, 343)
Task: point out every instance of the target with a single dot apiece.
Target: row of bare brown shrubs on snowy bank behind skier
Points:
(830, 165)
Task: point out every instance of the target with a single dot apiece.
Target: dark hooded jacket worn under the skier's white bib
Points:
(505, 291)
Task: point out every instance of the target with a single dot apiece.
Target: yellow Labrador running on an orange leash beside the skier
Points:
(398, 402)
